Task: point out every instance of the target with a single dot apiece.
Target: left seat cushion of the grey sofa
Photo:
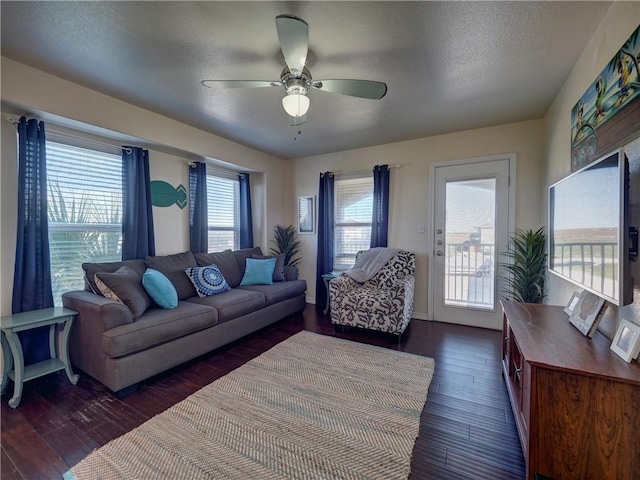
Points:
(157, 326)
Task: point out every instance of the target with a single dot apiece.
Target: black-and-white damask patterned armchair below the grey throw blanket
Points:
(383, 302)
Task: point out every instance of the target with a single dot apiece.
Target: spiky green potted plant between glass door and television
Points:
(526, 267)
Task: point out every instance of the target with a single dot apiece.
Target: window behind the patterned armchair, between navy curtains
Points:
(353, 211)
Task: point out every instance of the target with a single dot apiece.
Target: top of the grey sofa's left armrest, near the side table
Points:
(103, 313)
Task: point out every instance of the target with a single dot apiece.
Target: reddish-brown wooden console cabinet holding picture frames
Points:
(576, 403)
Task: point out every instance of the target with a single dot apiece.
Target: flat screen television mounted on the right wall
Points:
(589, 229)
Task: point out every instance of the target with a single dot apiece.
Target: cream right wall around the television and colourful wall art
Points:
(622, 19)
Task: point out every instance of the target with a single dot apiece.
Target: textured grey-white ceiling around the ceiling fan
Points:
(449, 66)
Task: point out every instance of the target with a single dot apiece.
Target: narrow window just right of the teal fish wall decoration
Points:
(223, 208)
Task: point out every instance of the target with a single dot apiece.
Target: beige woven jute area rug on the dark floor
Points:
(312, 407)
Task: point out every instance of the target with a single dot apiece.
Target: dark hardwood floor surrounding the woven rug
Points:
(467, 429)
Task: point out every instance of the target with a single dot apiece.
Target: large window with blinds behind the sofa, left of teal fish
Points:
(84, 202)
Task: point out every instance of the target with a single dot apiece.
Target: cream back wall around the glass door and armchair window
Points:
(409, 204)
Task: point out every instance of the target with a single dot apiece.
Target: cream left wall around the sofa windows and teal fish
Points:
(26, 90)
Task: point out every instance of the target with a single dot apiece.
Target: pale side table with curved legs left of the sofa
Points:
(60, 321)
